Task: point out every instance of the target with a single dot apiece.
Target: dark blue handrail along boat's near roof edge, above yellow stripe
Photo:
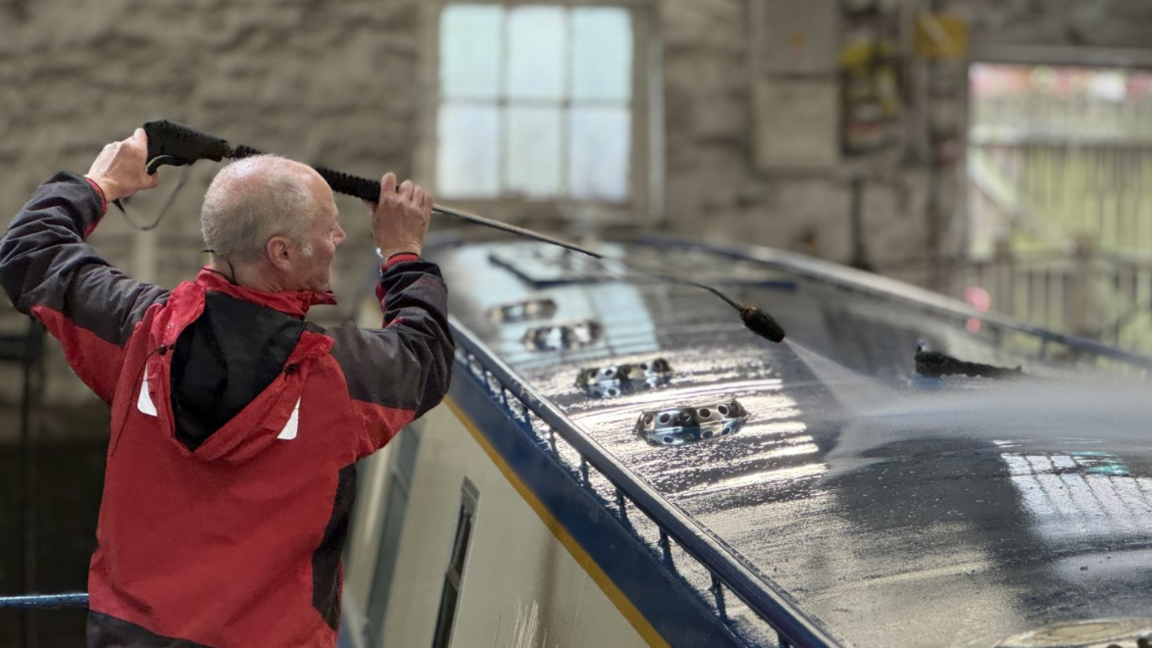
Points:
(794, 628)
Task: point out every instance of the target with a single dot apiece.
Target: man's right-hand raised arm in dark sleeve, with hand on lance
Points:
(398, 373)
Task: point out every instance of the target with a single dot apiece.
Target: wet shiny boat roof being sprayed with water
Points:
(945, 537)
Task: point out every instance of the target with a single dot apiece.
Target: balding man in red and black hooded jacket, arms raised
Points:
(236, 424)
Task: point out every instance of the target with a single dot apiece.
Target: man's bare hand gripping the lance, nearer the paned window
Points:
(400, 221)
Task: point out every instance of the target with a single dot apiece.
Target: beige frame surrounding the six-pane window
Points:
(646, 153)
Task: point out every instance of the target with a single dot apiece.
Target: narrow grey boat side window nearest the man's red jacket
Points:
(404, 466)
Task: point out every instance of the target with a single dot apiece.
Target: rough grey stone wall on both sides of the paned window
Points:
(343, 84)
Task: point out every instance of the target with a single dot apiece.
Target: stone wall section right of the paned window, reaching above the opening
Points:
(912, 204)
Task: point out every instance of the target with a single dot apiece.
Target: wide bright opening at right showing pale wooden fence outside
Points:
(1060, 160)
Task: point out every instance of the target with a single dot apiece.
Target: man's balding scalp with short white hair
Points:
(253, 200)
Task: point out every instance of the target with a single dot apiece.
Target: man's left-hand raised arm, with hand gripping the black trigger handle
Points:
(51, 274)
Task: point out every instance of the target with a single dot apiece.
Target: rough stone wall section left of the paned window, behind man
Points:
(304, 79)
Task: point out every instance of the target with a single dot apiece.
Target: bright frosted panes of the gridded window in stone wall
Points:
(540, 103)
